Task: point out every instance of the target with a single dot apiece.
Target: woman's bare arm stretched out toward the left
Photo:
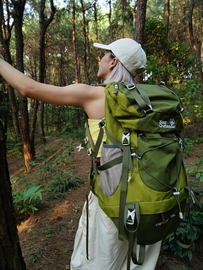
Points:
(72, 95)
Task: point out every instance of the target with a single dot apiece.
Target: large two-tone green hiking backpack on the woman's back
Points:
(141, 182)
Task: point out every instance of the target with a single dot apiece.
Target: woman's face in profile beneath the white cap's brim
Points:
(106, 65)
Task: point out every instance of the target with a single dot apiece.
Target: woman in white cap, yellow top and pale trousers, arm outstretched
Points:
(122, 60)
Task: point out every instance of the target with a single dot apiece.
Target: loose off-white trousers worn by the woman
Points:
(106, 252)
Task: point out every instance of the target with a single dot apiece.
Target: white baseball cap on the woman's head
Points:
(128, 52)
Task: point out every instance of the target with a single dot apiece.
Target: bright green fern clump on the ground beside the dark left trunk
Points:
(26, 200)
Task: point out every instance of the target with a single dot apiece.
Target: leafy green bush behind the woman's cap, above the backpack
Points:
(168, 61)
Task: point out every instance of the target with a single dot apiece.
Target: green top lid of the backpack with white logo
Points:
(163, 117)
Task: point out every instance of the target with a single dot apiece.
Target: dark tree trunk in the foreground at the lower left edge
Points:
(10, 251)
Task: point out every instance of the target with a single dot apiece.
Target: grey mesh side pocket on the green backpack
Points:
(110, 178)
